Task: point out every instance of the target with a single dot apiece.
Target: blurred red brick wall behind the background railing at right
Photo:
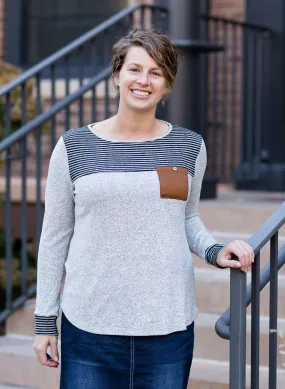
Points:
(224, 108)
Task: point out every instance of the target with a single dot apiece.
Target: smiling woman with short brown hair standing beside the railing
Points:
(122, 219)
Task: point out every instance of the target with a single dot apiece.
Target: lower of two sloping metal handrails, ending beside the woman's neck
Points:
(42, 118)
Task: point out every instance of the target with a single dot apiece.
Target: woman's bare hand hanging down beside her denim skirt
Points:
(40, 346)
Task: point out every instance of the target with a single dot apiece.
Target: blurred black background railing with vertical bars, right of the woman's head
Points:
(237, 89)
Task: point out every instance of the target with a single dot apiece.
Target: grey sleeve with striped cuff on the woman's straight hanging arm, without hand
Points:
(57, 231)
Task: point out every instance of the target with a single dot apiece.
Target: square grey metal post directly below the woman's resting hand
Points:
(238, 330)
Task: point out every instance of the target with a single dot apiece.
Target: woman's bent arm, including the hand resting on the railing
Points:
(200, 241)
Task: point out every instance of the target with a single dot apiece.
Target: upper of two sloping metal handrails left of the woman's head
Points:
(77, 43)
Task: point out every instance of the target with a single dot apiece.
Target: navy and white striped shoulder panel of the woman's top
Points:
(87, 153)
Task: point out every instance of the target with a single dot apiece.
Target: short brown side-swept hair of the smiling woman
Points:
(156, 44)
